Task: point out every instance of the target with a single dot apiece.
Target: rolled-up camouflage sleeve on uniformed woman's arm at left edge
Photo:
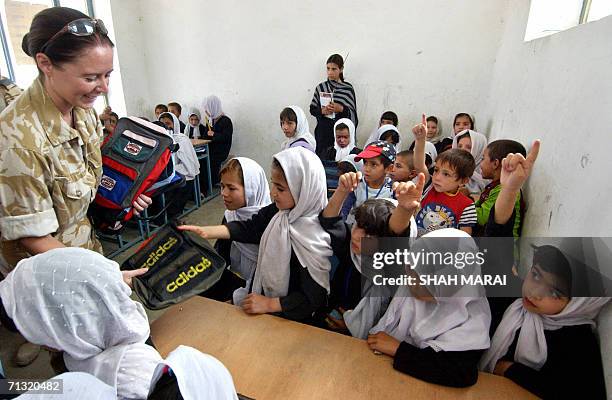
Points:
(26, 206)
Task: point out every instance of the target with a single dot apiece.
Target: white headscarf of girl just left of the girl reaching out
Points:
(257, 195)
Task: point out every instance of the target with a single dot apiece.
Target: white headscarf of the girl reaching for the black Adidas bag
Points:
(297, 229)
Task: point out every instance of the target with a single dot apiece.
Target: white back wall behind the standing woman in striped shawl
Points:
(258, 57)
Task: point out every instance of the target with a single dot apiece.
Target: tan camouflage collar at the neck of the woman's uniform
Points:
(56, 129)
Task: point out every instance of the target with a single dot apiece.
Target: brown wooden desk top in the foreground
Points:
(273, 358)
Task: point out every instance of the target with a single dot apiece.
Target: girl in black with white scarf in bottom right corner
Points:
(545, 340)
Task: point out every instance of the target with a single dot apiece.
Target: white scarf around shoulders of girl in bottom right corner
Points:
(531, 348)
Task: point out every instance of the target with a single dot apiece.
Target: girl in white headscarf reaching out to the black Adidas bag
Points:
(292, 274)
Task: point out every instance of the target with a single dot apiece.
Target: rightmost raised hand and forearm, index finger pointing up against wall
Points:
(514, 172)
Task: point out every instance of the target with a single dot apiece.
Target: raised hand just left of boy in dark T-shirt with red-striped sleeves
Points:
(408, 197)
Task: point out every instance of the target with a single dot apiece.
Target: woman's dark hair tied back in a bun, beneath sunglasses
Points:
(65, 47)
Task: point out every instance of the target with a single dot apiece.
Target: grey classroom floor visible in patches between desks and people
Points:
(209, 213)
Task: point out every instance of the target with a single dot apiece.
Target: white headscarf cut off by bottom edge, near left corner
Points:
(76, 385)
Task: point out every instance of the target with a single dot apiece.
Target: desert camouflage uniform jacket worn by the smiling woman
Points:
(49, 173)
